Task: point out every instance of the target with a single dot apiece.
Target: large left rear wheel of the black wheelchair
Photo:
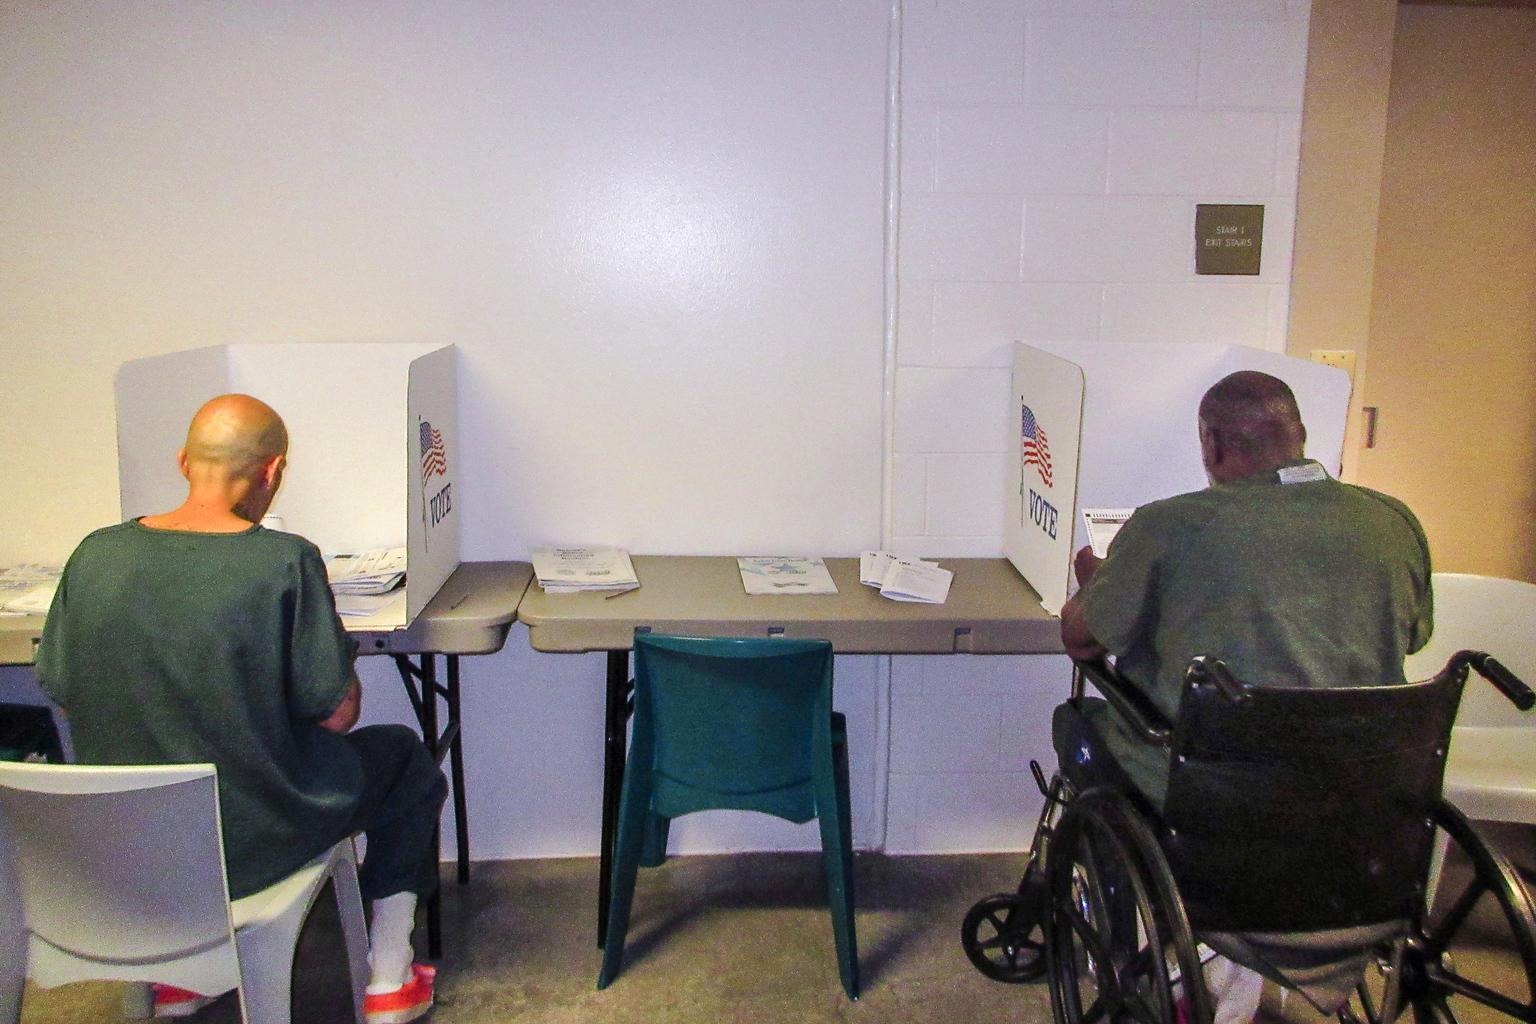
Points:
(1117, 939)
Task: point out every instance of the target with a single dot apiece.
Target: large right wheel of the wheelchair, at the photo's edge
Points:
(1472, 957)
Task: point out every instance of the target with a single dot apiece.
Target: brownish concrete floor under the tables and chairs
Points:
(713, 939)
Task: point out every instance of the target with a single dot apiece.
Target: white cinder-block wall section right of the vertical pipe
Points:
(1053, 154)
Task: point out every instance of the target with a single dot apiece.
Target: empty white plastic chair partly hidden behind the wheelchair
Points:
(1492, 770)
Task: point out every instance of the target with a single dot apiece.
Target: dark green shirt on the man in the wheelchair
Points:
(1291, 584)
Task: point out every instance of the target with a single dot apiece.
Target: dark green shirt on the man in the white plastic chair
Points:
(170, 647)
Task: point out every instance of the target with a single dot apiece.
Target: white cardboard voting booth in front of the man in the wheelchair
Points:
(1113, 426)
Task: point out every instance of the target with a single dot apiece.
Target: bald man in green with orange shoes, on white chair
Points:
(200, 636)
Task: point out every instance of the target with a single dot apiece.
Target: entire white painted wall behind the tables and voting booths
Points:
(657, 234)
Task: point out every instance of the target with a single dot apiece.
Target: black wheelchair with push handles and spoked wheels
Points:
(1303, 836)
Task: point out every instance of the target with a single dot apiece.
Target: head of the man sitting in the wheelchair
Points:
(1254, 418)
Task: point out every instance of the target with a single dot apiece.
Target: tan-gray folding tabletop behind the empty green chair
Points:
(991, 610)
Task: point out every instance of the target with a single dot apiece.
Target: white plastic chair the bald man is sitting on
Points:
(121, 876)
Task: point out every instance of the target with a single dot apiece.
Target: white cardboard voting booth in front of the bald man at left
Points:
(372, 446)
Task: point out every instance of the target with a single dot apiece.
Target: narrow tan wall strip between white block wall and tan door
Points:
(1343, 137)
